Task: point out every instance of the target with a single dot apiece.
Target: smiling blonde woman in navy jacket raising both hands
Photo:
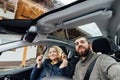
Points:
(56, 64)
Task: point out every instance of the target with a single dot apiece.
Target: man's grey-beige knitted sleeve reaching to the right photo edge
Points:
(110, 67)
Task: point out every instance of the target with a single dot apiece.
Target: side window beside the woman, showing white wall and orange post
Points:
(20, 57)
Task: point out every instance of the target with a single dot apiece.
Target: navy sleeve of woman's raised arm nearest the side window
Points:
(35, 73)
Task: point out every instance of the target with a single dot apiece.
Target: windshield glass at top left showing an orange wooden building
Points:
(15, 9)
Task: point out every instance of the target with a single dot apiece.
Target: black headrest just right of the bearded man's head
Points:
(101, 45)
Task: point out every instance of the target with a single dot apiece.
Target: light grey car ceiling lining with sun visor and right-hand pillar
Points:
(105, 13)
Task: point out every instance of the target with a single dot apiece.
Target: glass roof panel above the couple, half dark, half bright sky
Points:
(89, 30)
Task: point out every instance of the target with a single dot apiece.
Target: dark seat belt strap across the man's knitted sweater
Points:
(89, 70)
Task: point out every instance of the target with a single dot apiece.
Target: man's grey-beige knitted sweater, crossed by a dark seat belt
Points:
(105, 68)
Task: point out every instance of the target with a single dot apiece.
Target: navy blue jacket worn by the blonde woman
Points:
(47, 69)
